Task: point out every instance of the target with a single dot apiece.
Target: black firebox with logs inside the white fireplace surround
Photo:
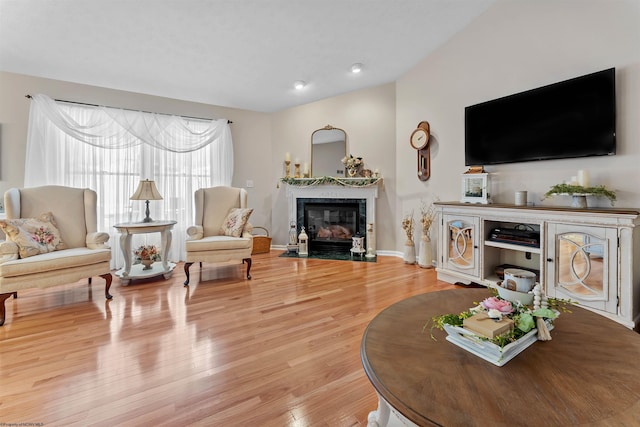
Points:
(331, 223)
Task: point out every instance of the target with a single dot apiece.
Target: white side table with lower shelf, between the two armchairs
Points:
(130, 272)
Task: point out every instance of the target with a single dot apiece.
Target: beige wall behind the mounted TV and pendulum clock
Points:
(512, 47)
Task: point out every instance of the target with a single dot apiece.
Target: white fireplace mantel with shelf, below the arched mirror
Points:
(359, 190)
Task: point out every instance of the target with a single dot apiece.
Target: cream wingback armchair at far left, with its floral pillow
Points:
(51, 239)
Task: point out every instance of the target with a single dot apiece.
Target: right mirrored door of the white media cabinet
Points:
(585, 263)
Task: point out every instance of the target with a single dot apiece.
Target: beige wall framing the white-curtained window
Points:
(248, 128)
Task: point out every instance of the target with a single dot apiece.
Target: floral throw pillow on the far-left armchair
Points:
(33, 235)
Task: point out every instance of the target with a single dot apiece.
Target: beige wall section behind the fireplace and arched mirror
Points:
(368, 118)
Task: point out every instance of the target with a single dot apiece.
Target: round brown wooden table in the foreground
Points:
(588, 374)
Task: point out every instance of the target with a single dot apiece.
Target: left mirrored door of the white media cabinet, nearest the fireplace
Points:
(461, 243)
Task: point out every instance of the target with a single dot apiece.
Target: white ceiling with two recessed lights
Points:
(235, 53)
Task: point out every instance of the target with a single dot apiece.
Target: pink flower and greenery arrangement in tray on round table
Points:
(525, 317)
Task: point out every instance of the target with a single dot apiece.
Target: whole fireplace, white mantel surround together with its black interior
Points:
(330, 202)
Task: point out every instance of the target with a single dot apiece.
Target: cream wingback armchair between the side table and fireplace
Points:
(221, 232)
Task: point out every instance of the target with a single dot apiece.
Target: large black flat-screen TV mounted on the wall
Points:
(572, 118)
